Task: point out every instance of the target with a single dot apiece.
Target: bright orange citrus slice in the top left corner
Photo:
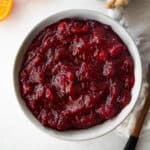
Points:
(5, 8)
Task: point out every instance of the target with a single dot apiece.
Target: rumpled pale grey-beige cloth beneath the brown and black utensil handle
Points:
(135, 18)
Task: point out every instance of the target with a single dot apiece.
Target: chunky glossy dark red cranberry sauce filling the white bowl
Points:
(76, 74)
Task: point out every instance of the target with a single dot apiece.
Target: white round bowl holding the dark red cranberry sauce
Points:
(107, 126)
